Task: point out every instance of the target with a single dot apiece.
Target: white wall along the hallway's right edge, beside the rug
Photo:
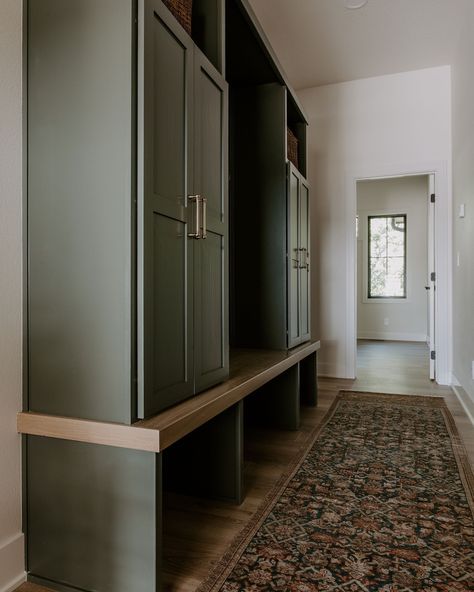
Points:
(463, 193)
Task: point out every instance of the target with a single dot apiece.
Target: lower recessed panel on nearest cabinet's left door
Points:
(170, 311)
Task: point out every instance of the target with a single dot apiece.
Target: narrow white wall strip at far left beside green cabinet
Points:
(11, 538)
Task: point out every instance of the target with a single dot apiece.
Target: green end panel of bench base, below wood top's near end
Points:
(93, 516)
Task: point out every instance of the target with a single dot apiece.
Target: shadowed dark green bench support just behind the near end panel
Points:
(209, 461)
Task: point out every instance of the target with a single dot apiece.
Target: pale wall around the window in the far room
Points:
(407, 318)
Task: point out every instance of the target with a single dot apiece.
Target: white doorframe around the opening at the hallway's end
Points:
(443, 259)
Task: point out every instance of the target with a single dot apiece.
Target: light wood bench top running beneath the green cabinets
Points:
(249, 370)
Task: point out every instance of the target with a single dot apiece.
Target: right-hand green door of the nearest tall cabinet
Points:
(211, 356)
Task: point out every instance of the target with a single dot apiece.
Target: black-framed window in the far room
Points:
(387, 256)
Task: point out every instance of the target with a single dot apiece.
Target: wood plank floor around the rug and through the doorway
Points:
(197, 532)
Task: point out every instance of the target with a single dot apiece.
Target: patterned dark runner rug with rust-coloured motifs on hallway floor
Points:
(381, 499)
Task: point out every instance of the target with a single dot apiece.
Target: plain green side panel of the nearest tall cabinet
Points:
(80, 176)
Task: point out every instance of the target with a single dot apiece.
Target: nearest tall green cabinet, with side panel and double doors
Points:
(127, 208)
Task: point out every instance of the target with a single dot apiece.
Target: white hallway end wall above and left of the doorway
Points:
(373, 127)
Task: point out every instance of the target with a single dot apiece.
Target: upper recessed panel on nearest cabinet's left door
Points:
(169, 115)
